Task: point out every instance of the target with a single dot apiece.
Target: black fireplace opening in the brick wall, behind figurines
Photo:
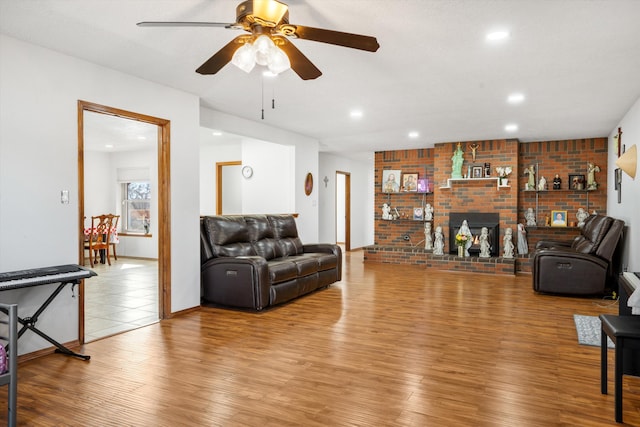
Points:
(476, 221)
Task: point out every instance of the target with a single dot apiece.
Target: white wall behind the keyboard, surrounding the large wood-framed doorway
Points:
(38, 158)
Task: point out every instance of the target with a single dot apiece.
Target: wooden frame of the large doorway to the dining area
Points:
(164, 201)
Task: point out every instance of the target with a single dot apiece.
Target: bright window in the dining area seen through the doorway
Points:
(136, 207)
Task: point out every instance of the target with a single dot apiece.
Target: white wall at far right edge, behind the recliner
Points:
(629, 207)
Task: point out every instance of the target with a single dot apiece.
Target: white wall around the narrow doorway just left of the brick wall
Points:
(362, 186)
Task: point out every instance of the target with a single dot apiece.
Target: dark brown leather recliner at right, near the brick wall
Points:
(580, 267)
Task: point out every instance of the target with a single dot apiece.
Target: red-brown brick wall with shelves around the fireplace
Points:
(550, 157)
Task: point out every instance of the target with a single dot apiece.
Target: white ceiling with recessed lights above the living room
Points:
(577, 62)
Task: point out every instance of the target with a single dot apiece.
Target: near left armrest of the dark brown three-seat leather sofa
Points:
(236, 281)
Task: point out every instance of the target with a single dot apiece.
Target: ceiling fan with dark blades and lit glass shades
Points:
(267, 21)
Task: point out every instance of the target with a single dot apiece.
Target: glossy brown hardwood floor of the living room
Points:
(388, 346)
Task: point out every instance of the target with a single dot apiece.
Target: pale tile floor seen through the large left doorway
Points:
(124, 296)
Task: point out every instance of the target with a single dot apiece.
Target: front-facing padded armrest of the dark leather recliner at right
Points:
(568, 272)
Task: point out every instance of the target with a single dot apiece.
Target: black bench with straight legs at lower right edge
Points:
(624, 331)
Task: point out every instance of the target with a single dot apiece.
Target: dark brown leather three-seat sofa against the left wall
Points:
(257, 261)
